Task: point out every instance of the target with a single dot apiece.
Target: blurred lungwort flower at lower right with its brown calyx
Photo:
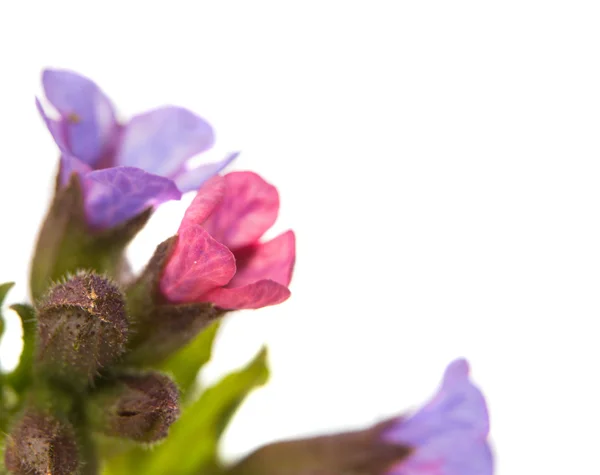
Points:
(447, 436)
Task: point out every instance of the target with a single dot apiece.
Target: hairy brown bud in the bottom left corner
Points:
(40, 444)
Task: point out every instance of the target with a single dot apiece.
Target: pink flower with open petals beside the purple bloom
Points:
(219, 257)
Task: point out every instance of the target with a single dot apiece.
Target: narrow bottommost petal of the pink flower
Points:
(257, 295)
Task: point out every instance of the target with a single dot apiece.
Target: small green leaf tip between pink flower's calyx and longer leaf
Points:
(187, 362)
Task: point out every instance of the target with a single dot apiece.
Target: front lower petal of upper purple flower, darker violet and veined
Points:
(114, 195)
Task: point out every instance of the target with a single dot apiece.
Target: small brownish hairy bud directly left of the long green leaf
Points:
(140, 407)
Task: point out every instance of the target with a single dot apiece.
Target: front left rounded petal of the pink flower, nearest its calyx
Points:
(198, 264)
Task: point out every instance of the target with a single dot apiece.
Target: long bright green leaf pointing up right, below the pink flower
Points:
(191, 447)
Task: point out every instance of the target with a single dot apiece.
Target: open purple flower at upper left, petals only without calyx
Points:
(124, 168)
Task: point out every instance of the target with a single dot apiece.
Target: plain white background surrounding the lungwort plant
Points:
(437, 160)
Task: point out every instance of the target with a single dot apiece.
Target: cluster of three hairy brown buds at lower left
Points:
(78, 379)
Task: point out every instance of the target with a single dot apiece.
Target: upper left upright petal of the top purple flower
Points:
(87, 114)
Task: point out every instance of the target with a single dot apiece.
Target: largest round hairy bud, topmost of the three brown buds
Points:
(82, 328)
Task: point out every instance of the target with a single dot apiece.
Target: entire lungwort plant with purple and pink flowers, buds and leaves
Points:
(110, 359)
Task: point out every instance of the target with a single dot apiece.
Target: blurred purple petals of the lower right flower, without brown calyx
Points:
(449, 434)
